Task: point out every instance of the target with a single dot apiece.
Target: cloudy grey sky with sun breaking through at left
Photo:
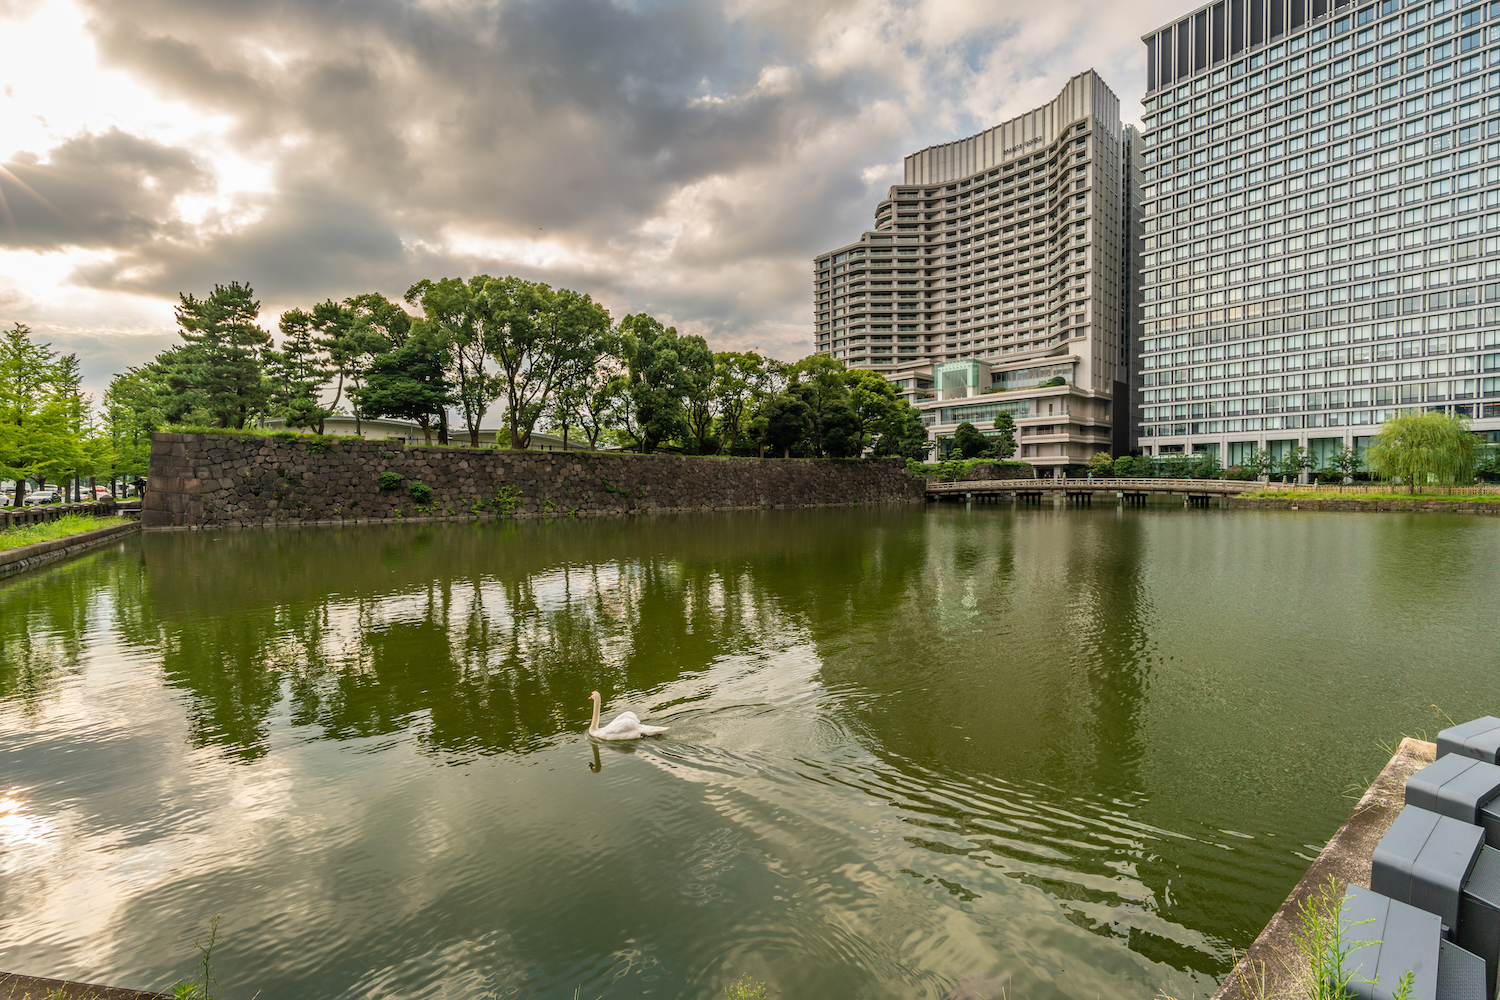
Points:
(677, 158)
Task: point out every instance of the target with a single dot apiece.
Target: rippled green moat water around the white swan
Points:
(1093, 749)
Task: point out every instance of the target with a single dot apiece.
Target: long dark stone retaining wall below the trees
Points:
(202, 481)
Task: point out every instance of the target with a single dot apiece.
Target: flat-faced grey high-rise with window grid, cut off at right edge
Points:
(1321, 193)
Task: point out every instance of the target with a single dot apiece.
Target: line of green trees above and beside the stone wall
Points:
(452, 353)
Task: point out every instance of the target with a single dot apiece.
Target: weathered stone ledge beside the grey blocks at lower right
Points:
(1274, 960)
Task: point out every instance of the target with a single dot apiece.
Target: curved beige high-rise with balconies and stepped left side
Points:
(1000, 277)
